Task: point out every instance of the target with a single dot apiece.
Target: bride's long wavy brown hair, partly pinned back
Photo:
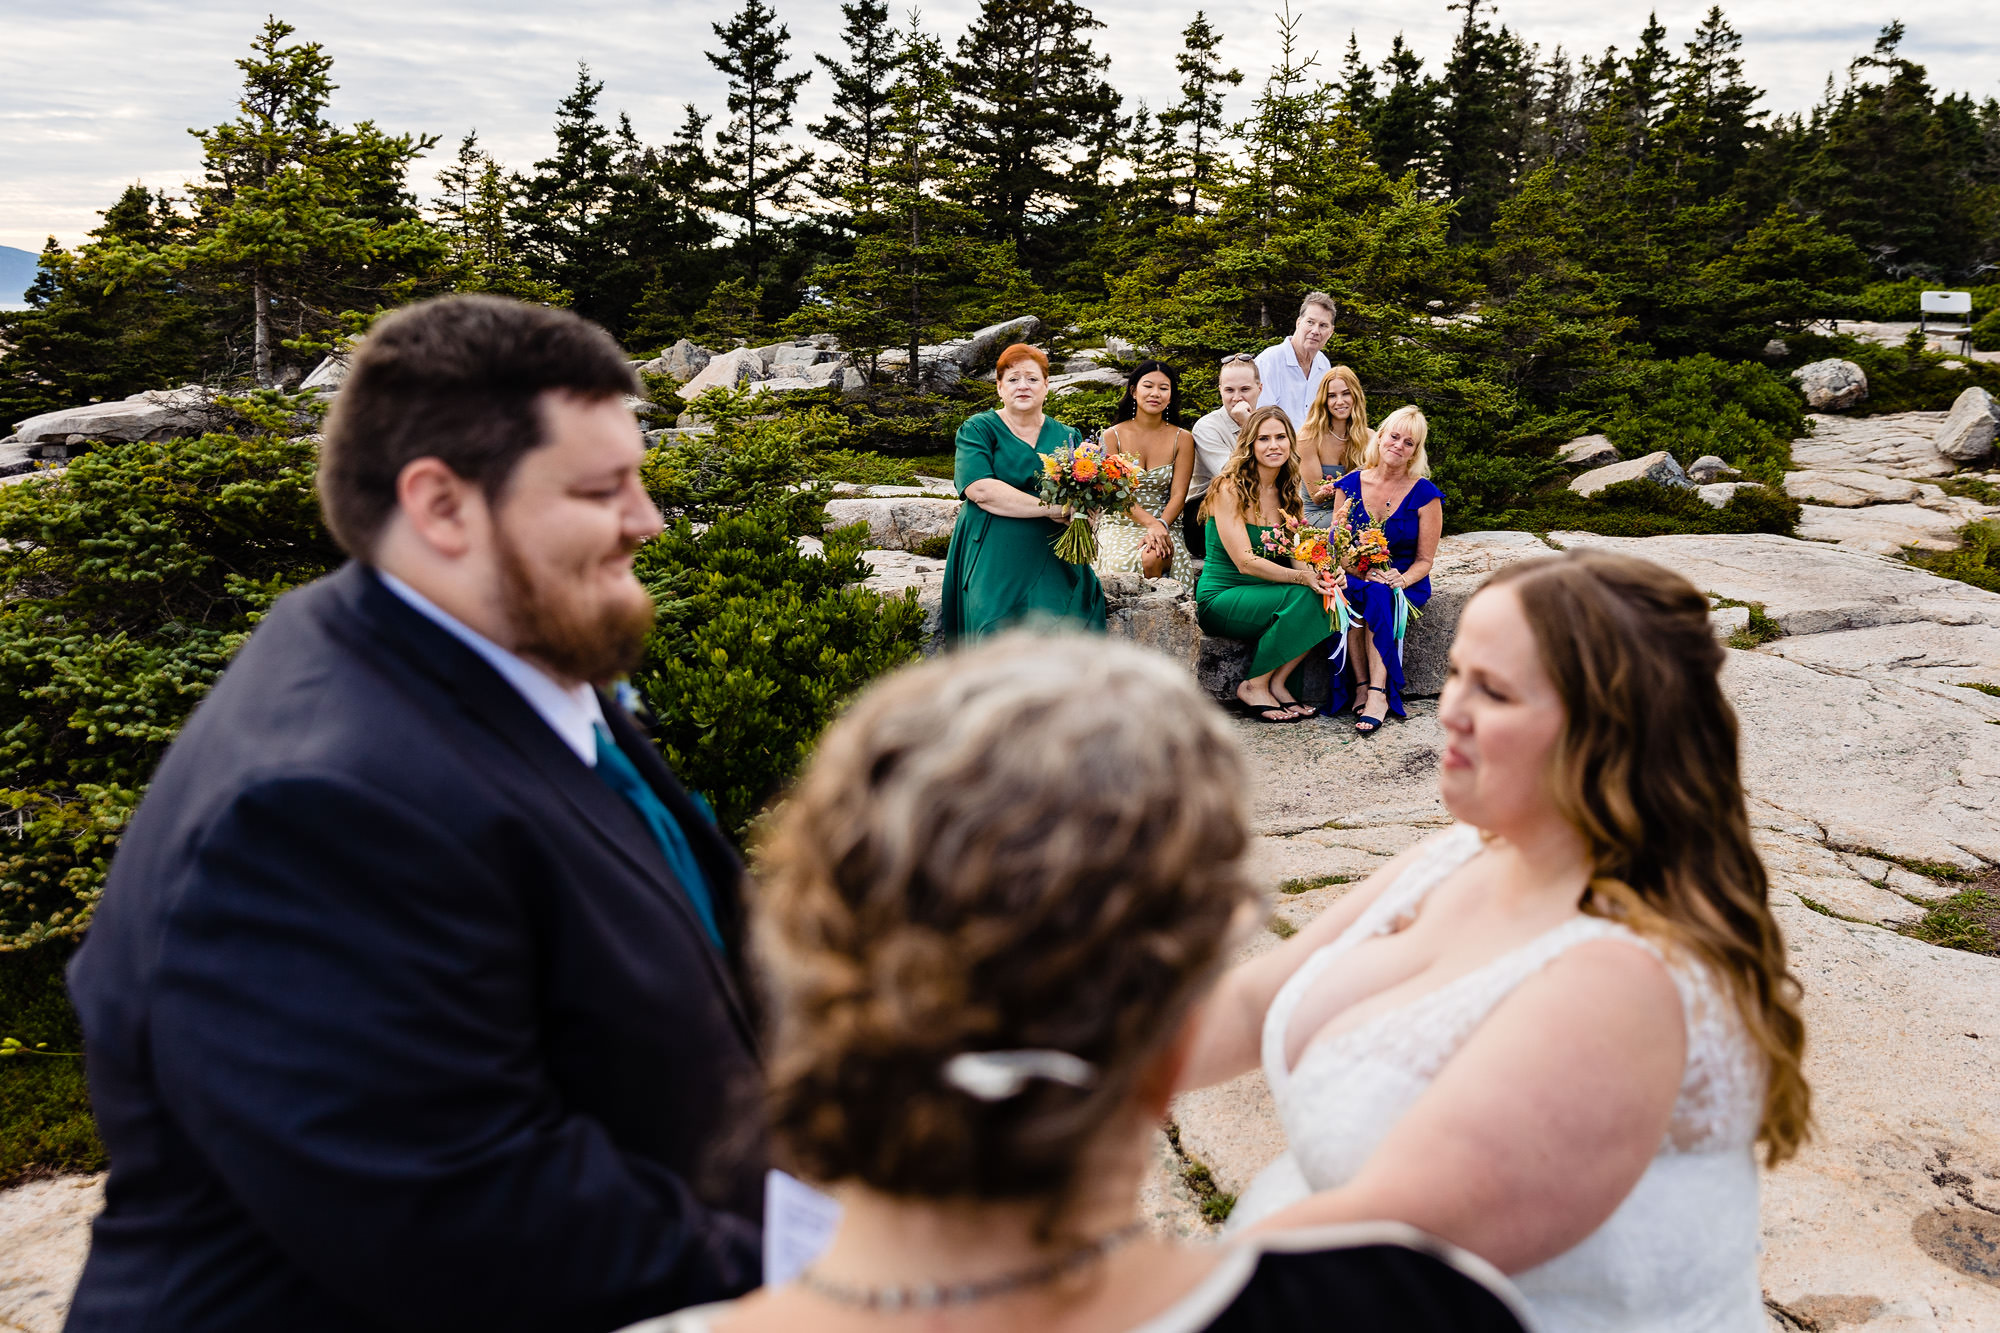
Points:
(1649, 772)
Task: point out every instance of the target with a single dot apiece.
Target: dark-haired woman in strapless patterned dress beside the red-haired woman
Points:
(1147, 425)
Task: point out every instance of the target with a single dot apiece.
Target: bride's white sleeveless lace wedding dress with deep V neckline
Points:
(1681, 1252)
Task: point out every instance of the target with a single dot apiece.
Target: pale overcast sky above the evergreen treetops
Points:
(99, 93)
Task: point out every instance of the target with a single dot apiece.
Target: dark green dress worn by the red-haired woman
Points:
(1005, 571)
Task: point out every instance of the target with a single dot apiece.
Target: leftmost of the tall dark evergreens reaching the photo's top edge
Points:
(755, 163)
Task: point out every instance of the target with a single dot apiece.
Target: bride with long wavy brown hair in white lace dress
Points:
(1557, 1032)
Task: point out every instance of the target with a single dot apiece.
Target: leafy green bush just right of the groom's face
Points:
(757, 643)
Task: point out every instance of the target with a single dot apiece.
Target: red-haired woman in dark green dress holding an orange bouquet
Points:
(1003, 567)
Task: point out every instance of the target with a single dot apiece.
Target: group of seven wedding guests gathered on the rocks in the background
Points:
(1313, 527)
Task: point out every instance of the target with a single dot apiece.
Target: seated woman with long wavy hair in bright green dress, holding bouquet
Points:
(1243, 595)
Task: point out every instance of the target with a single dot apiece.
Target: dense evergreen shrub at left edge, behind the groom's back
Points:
(125, 589)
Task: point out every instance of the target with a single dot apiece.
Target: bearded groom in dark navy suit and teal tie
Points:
(415, 998)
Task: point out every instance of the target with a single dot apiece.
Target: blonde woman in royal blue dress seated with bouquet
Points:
(1395, 485)
